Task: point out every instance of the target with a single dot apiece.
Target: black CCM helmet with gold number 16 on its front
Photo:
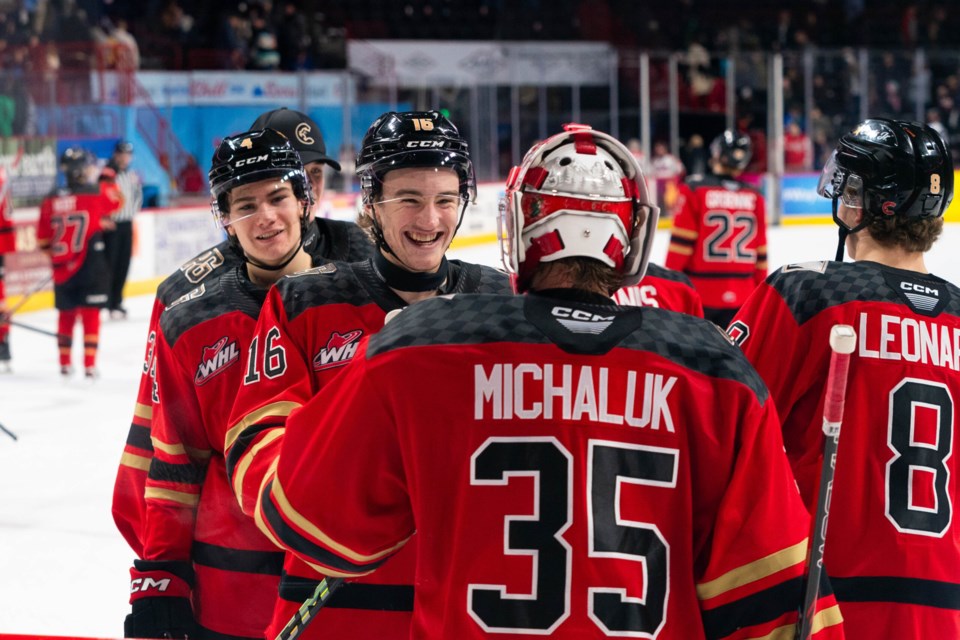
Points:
(413, 139)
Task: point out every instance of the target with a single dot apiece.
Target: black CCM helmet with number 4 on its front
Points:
(251, 157)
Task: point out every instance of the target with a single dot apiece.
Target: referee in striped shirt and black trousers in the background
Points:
(119, 243)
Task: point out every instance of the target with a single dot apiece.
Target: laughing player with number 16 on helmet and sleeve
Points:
(417, 179)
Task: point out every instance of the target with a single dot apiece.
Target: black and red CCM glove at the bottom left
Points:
(160, 601)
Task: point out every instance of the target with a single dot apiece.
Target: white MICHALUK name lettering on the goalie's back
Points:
(528, 391)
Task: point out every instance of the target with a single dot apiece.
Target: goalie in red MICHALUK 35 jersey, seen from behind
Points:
(571, 468)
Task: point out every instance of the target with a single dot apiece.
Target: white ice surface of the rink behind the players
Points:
(63, 566)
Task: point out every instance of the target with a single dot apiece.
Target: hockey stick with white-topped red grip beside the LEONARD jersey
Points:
(843, 340)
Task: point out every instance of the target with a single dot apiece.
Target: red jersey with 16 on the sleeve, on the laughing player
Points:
(311, 326)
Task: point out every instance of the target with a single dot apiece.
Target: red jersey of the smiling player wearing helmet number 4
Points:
(190, 510)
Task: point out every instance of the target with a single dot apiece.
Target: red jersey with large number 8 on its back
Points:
(892, 547)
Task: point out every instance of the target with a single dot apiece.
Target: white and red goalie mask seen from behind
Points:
(580, 193)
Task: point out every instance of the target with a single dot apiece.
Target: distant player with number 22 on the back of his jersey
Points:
(719, 235)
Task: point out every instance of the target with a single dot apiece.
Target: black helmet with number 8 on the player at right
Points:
(889, 168)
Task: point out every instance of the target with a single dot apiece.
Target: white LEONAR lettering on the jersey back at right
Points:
(888, 337)
